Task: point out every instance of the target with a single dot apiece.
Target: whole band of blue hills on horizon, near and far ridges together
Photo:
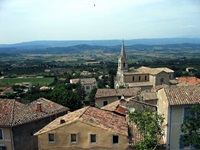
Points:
(42, 47)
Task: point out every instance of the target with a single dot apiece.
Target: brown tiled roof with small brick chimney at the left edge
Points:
(14, 113)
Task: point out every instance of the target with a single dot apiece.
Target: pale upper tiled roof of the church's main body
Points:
(154, 71)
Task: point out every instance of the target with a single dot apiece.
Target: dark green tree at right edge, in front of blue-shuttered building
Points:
(191, 127)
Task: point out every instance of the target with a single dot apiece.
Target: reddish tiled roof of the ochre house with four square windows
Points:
(94, 116)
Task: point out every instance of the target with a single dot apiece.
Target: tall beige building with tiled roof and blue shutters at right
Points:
(174, 103)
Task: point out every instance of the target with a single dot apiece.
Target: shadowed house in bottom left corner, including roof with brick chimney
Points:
(18, 122)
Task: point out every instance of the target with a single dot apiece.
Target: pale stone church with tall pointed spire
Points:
(144, 77)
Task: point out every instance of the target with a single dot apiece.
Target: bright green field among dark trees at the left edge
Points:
(35, 81)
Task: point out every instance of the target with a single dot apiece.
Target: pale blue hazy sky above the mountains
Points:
(30, 20)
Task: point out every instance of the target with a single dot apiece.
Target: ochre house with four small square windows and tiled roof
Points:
(86, 128)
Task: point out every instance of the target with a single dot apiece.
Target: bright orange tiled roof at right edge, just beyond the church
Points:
(185, 81)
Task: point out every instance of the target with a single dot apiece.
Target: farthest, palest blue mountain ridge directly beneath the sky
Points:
(45, 44)
